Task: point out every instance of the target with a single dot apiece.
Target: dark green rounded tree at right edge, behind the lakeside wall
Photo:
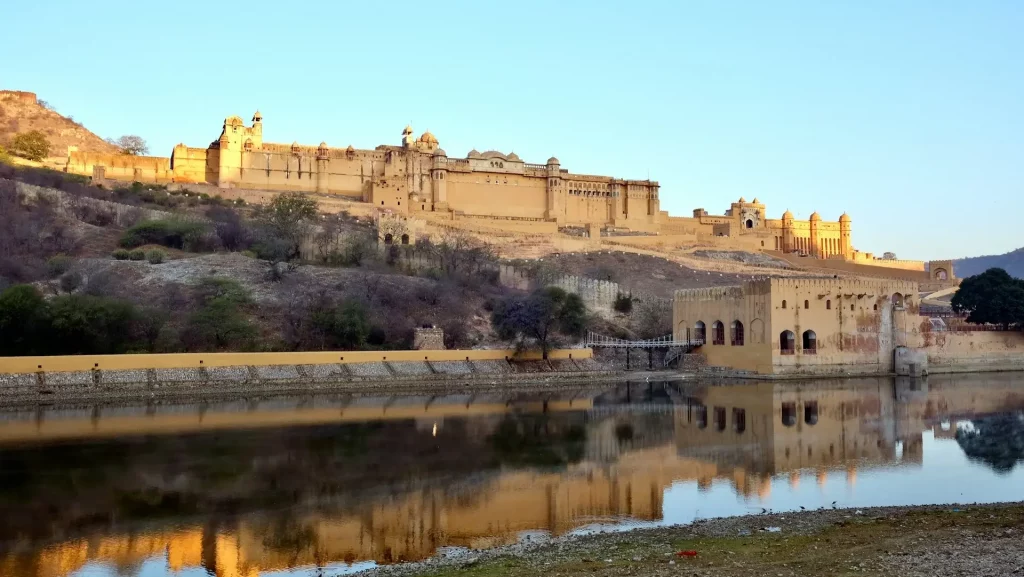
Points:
(992, 298)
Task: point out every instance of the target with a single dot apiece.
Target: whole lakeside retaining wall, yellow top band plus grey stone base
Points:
(34, 380)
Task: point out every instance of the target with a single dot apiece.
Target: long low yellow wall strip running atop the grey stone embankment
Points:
(196, 360)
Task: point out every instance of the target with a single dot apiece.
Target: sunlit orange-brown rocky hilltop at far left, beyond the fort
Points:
(23, 112)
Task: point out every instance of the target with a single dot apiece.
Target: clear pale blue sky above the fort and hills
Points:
(909, 115)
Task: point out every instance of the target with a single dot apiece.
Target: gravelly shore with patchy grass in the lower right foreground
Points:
(965, 541)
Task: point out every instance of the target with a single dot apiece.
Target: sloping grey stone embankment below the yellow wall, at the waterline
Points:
(394, 377)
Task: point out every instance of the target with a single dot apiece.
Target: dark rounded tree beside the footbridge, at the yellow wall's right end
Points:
(541, 317)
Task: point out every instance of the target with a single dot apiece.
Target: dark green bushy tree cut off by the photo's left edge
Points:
(24, 320)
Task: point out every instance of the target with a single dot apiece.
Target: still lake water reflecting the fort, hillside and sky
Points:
(334, 484)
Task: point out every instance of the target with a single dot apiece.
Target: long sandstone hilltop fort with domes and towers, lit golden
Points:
(496, 191)
